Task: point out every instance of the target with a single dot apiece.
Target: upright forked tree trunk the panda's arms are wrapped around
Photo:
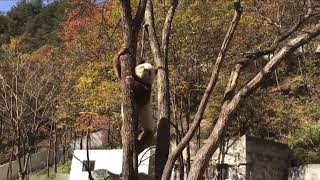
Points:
(131, 28)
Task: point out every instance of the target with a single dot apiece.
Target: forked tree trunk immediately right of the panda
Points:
(161, 59)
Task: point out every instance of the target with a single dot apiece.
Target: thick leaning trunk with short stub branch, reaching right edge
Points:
(231, 102)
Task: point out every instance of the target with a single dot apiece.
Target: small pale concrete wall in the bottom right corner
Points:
(306, 172)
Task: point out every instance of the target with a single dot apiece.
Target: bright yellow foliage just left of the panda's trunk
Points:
(94, 92)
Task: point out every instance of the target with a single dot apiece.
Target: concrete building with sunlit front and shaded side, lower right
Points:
(248, 158)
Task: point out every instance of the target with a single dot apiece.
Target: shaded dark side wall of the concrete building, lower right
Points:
(266, 160)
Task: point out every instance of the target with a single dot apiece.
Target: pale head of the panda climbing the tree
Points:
(146, 72)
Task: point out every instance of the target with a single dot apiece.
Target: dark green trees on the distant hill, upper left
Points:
(35, 22)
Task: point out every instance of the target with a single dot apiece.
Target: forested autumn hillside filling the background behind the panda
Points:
(57, 81)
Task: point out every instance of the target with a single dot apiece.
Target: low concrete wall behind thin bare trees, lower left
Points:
(38, 161)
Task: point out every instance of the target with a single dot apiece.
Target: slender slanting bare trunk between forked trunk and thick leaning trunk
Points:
(198, 117)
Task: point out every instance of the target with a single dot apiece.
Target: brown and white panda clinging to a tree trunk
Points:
(141, 84)
